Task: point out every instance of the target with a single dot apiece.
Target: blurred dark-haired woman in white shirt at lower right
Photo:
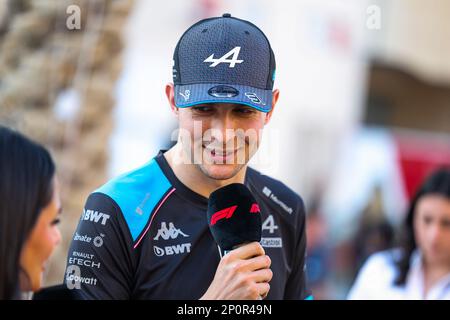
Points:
(420, 267)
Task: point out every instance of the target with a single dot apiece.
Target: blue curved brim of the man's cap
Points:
(193, 94)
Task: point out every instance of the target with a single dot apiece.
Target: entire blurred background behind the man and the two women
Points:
(363, 116)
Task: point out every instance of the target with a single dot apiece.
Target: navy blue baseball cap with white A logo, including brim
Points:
(224, 59)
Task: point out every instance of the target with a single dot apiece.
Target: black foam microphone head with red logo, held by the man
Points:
(234, 217)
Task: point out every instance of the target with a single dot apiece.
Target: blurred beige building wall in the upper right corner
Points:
(417, 37)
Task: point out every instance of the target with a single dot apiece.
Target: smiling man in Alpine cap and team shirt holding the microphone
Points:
(144, 235)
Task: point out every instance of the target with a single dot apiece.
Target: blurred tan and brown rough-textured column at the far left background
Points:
(57, 85)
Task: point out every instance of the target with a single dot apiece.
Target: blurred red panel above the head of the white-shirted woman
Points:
(418, 158)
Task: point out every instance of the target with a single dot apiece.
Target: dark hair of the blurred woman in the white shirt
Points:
(438, 183)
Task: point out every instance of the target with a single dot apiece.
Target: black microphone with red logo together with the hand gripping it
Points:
(244, 271)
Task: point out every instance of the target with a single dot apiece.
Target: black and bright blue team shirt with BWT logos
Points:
(144, 235)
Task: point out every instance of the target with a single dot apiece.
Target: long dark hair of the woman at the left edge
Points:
(26, 187)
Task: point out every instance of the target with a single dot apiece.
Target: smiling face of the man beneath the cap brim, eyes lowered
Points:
(220, 138)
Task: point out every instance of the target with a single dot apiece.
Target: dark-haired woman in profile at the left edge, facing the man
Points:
(29, 213)
